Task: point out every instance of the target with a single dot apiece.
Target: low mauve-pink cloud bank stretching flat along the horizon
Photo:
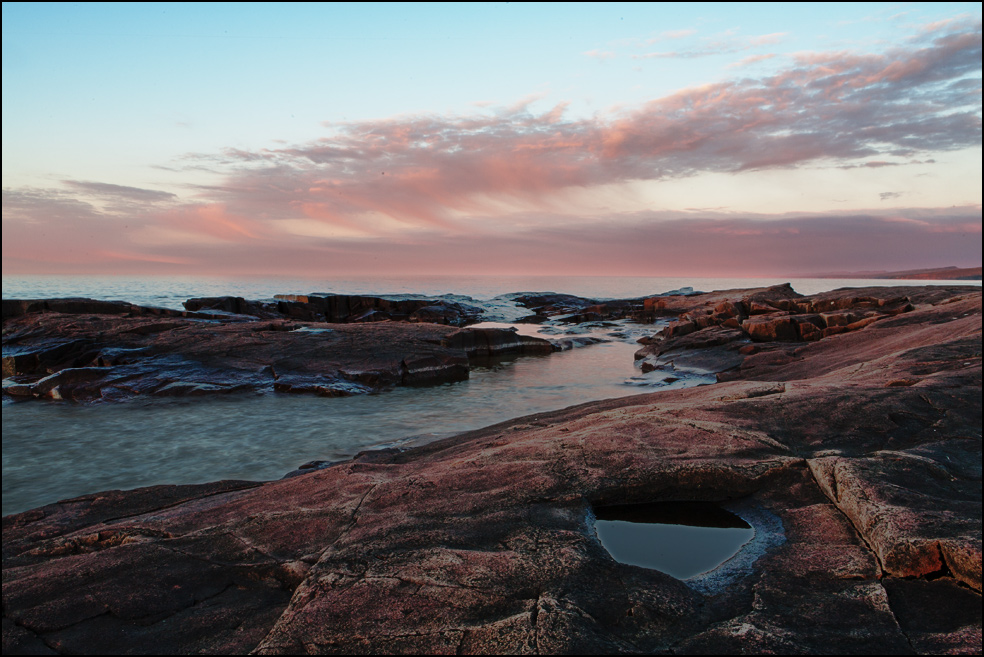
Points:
(701, 242)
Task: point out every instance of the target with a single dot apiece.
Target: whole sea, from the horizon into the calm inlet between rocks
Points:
(59, 450)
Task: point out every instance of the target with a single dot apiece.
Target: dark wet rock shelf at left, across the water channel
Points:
(87, 350)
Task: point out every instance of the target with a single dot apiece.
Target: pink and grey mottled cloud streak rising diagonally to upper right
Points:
(841, 109)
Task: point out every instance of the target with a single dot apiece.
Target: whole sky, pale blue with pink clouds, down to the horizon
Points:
(677, 139)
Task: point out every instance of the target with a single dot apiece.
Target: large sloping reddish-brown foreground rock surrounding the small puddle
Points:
(865, 447)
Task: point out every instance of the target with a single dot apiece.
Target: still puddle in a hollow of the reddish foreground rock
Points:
(682, 539)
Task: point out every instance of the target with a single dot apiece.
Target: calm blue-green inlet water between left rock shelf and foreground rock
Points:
(53, 450)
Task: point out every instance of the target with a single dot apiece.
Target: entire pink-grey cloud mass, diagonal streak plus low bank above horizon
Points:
(499, 190)
